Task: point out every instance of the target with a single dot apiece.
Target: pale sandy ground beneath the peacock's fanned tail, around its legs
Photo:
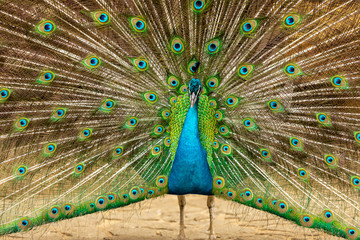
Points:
(159, 219)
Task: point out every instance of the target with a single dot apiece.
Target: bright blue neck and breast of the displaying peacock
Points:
(190, 173)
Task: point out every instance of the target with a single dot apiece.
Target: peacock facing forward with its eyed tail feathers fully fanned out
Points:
(107, 103)
